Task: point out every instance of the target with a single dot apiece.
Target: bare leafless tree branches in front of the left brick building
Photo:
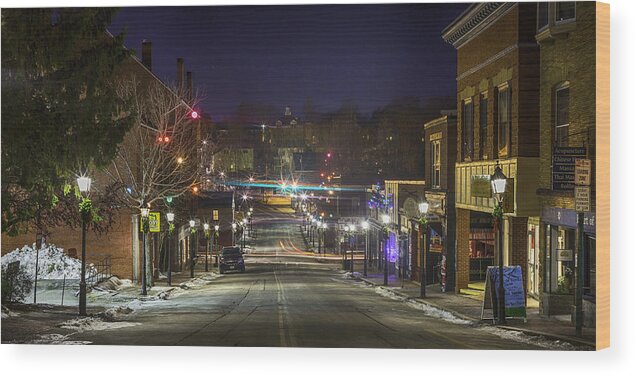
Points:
(158, 158)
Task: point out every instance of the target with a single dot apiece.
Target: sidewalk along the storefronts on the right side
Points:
(469, 308)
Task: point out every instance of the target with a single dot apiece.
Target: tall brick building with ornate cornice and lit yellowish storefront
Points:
(497, 103)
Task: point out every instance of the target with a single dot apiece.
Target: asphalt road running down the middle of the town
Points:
(286, 298)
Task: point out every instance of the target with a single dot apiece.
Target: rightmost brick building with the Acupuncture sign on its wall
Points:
(566, 33)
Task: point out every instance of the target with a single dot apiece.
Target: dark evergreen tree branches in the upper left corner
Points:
(60, 114)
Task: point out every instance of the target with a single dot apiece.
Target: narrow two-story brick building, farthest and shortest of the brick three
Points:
(440, 138)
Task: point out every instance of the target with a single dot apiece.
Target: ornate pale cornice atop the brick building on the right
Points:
(473, 21)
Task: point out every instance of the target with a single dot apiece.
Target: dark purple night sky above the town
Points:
(285, 55)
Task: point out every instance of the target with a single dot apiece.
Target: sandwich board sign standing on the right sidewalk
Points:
(514, 293)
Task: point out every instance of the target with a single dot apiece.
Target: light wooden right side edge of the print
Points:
(602, 97)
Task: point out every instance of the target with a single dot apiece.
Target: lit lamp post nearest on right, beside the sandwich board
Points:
(499, 183)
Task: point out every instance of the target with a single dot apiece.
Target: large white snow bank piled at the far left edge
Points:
(52, 262)
